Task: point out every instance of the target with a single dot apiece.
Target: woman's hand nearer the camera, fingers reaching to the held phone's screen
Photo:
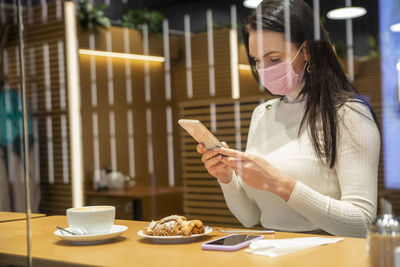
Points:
(258, 173)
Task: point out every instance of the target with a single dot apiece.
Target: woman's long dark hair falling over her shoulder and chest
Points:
(326, 87)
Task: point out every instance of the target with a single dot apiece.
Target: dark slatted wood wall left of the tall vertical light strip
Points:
(56, 197)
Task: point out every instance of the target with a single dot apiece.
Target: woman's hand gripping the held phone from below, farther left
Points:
(214, 166)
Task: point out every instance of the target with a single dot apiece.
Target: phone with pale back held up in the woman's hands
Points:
(200, 133)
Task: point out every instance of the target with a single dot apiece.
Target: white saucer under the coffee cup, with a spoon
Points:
(116, 230)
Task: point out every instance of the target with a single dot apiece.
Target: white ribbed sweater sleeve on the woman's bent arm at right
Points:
(357, 171)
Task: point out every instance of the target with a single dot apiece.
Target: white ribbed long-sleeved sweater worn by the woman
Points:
(340, 201)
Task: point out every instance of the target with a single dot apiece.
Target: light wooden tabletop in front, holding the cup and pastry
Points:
(132, 250)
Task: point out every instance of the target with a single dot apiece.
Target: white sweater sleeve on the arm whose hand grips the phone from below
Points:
(243, 207)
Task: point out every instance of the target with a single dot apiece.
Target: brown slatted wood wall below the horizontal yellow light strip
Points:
(157, 105)
